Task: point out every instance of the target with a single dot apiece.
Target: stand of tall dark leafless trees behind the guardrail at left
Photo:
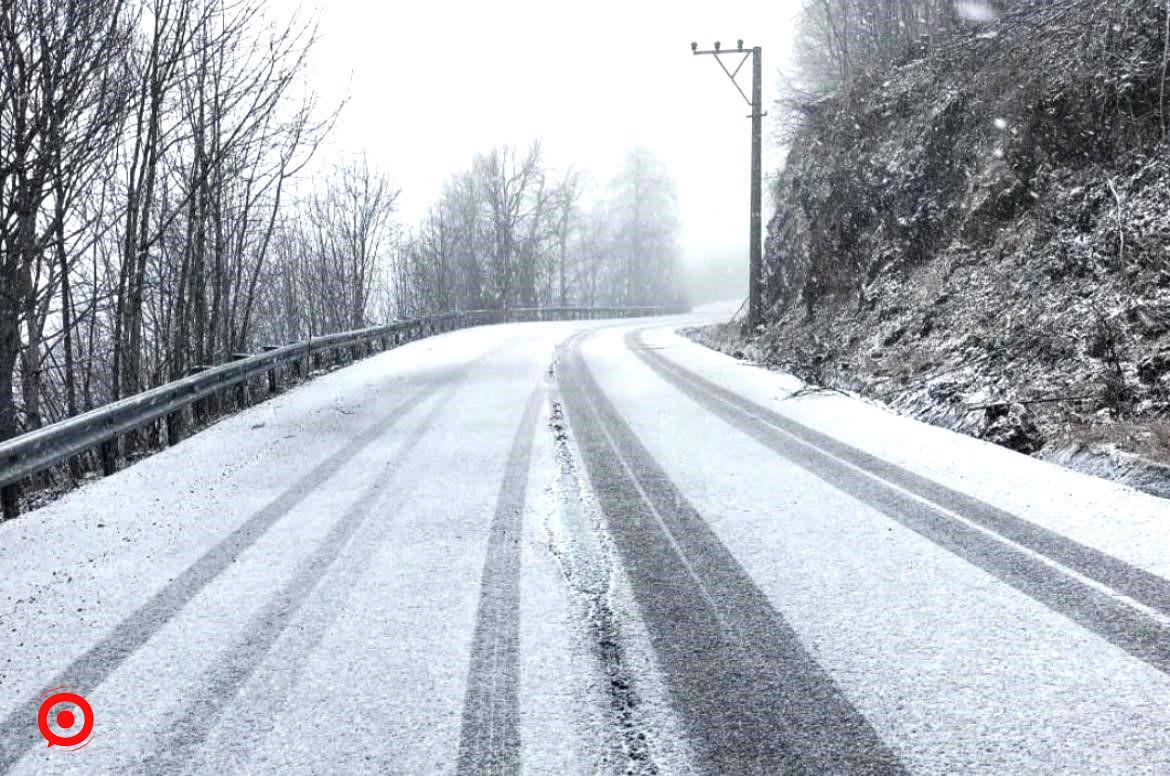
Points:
(144, 152)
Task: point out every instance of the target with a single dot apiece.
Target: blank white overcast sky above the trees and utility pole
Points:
(433, 83)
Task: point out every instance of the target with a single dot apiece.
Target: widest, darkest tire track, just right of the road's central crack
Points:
(752, 698)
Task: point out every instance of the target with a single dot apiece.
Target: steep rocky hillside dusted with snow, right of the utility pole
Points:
(981, 237)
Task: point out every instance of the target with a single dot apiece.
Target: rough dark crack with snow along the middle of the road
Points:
(588, 573)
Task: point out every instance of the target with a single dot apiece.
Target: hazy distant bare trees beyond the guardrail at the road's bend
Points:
(510, 232)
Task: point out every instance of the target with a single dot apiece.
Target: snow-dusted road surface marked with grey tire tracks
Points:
(581, 548)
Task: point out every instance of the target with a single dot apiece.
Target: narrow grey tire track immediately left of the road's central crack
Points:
(490, 739)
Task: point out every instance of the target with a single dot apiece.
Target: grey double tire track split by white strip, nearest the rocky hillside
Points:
(1126, 606)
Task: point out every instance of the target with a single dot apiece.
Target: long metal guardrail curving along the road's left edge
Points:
(29, 455)
